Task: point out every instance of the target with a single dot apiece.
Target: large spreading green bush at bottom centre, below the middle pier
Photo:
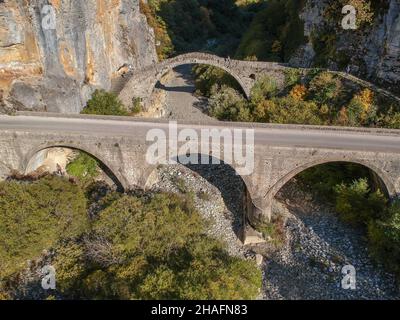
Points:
(154, 249)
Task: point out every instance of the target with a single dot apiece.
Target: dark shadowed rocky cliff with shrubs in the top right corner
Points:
(372, 51)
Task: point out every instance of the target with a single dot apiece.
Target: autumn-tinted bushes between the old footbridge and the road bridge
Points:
(318, 98)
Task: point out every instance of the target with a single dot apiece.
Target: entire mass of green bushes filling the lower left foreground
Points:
(143, 246)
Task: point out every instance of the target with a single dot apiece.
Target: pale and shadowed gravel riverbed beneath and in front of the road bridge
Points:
(317, 246)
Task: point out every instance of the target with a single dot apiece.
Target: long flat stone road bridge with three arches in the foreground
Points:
(280, 152)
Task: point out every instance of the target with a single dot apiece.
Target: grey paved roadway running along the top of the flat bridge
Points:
(291, 136)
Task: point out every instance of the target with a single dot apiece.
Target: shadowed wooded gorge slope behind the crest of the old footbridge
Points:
(198, 25)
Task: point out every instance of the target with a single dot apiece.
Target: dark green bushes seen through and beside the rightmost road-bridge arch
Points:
(358, 201)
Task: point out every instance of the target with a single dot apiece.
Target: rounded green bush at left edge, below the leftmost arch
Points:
(34, 217)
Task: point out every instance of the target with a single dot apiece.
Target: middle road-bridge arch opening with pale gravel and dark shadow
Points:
(209, 183)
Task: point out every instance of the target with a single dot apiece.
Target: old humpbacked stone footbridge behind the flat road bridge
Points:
(142, 82)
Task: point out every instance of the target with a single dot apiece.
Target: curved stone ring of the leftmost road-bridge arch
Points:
(117, 178)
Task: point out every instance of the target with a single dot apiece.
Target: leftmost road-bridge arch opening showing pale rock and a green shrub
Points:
(70, 161)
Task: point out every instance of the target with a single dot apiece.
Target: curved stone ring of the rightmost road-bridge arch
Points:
(389, 185)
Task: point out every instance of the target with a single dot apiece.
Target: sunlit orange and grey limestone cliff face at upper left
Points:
(56, 69)
